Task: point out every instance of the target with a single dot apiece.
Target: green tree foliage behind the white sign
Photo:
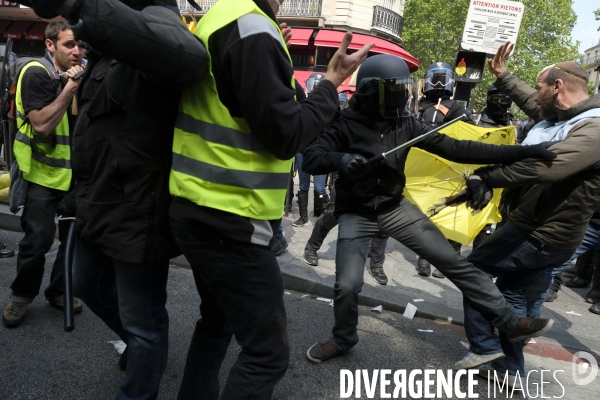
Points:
(433, 31)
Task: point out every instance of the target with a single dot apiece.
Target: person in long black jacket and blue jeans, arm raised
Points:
(141, 59)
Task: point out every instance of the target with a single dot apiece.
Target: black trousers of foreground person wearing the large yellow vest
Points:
(241, 289)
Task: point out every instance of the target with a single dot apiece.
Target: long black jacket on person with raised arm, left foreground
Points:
(123, 138)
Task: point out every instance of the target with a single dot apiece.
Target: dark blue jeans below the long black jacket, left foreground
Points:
(130, 299)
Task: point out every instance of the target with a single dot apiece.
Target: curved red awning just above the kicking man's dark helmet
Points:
(332, 38)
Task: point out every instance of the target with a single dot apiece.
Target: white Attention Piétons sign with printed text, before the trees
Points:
(490, 24)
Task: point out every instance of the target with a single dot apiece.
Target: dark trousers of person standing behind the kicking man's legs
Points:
(327, 222)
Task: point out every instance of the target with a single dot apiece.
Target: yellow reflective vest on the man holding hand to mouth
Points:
(44, 160)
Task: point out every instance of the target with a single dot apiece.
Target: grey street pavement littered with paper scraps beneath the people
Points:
(38, 360)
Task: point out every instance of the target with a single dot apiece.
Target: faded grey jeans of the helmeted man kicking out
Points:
(408, 225)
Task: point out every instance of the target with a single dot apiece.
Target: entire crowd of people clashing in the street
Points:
(190, 153)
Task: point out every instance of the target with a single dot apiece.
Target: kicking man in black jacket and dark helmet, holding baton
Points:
(370, 199)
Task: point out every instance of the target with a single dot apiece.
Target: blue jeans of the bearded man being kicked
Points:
(518, 261)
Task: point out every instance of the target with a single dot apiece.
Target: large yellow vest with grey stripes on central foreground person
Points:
(217, 162)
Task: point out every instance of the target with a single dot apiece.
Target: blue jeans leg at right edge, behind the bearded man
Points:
(537, 293)
